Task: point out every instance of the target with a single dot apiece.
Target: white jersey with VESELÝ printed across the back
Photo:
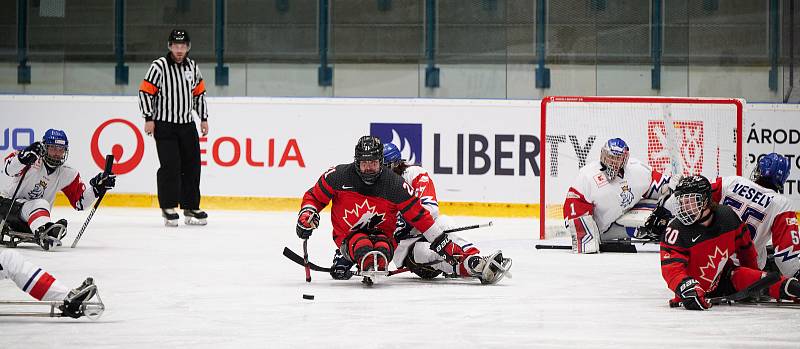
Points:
(769, 216)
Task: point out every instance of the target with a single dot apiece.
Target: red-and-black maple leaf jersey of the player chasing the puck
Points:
(360, 207)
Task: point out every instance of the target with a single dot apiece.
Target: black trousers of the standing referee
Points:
(178, 148)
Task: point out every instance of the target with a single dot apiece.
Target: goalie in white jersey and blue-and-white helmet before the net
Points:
(604, 190)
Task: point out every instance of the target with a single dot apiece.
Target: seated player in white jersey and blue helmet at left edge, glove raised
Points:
(38, 172)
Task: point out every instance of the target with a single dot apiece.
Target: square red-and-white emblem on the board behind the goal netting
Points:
(690, 142)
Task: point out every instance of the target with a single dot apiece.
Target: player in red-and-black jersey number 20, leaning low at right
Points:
(700, 245)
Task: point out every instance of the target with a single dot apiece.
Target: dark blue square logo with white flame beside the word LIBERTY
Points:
(406, 137)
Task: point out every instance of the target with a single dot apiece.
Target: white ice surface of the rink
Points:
(227, 285)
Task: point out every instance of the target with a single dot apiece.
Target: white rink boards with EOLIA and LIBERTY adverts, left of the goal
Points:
(321, 132)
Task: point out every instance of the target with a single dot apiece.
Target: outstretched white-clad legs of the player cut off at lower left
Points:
(39, 284)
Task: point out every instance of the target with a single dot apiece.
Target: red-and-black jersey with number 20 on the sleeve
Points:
(701, 252)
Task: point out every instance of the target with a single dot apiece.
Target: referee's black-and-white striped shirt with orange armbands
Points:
(170, 91)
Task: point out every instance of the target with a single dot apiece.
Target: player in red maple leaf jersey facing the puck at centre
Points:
(365, 203)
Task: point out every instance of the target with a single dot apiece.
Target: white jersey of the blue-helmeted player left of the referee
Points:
(39, 184)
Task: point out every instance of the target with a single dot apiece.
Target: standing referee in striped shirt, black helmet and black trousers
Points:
(172, 88)
